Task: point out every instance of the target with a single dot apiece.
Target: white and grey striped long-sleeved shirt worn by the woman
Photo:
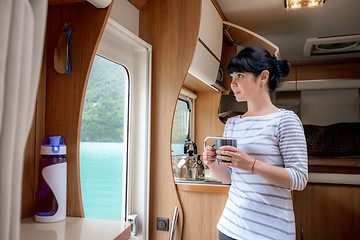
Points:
(256, 208)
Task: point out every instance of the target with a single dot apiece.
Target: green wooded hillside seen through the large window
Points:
(104, 105)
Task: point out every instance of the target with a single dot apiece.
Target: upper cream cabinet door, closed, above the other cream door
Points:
(211, 28)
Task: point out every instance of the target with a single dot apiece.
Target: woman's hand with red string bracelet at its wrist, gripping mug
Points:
(238, 158)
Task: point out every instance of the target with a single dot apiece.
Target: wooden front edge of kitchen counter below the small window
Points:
(185, 187)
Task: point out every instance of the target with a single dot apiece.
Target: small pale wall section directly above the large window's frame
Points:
(126, 15)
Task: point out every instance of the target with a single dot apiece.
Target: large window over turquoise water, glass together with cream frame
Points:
(128, 59)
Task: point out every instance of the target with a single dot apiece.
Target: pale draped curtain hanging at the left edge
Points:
(21, 49)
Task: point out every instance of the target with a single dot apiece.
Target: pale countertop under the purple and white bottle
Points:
(73, 228)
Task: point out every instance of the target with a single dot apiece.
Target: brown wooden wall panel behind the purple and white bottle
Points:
(59, 99)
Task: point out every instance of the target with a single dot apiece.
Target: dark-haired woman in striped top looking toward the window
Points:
(271, 155)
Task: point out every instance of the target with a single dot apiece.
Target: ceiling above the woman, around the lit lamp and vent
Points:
(288, 29)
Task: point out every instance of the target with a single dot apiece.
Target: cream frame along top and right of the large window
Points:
(124, 47)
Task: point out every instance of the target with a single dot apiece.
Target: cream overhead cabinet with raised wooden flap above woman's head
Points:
(205, 64)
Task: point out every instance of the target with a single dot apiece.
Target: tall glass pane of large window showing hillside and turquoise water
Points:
(103, 142)
